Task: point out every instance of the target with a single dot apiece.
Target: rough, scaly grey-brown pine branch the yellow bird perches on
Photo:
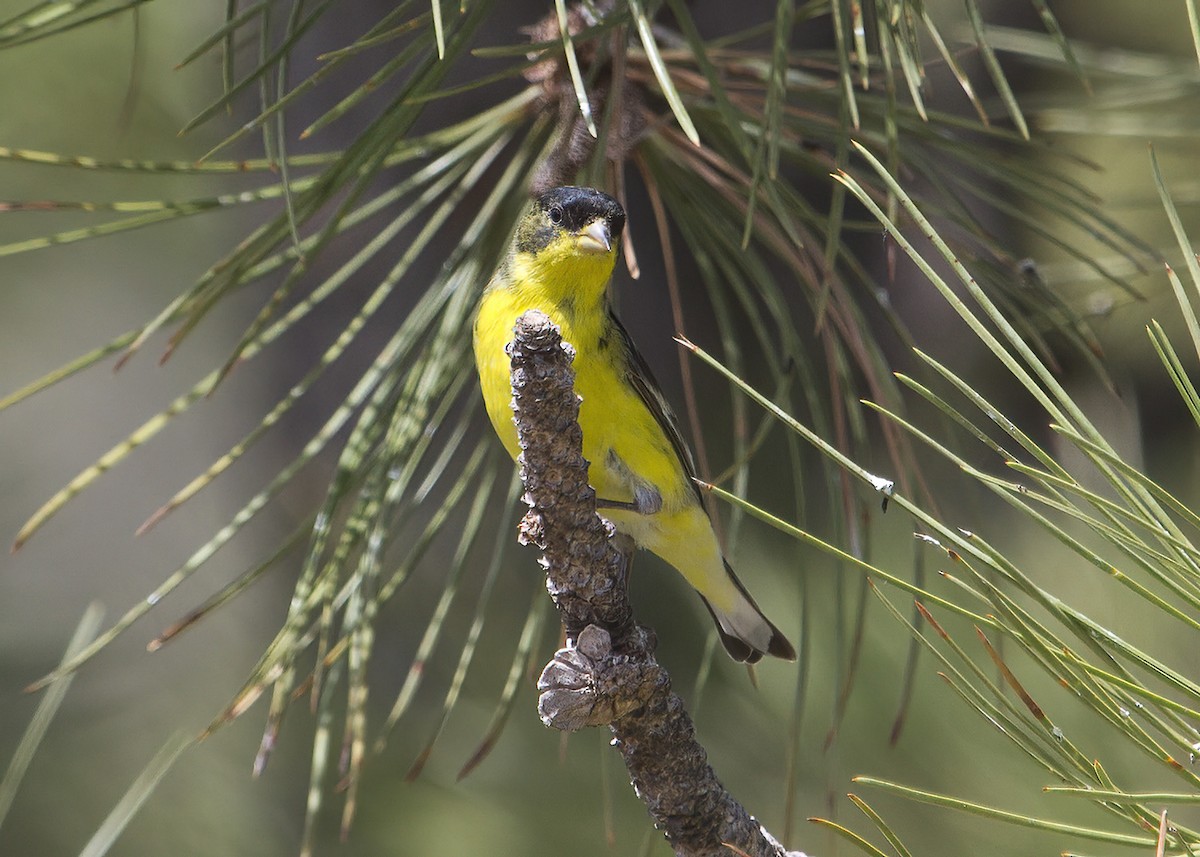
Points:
(607, 675)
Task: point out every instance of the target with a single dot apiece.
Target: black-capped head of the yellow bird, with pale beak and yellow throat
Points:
(569, 238)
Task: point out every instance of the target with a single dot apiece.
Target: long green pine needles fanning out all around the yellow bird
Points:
(760, 169)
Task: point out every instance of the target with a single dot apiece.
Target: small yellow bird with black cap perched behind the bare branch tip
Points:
(561, 262)
